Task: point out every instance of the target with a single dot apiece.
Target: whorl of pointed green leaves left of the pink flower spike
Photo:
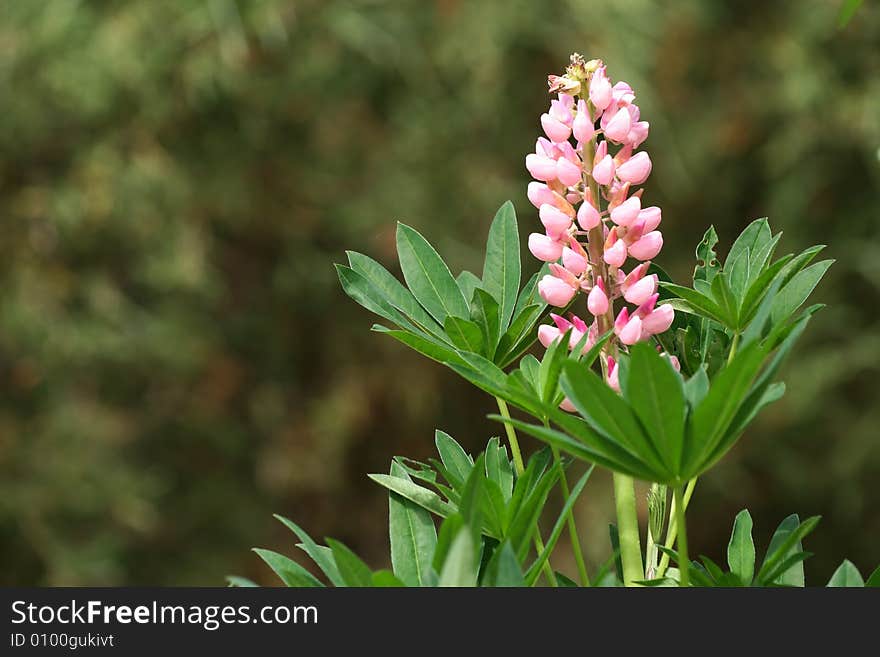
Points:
(443, 317)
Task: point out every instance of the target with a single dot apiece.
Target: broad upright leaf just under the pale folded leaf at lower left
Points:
(413, 535)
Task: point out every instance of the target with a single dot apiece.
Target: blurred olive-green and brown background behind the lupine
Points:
(177, 360)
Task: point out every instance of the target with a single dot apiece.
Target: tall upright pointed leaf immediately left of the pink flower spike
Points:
(501, 270)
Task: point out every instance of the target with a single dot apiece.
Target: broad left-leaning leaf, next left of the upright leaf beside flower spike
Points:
(428, 277)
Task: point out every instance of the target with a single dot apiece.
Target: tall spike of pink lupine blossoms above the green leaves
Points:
(596, 178)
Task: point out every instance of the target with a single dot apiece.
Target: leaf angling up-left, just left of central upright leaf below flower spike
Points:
(610, 416)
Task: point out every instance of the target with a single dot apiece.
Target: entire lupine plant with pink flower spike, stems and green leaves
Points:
(651, 379)
